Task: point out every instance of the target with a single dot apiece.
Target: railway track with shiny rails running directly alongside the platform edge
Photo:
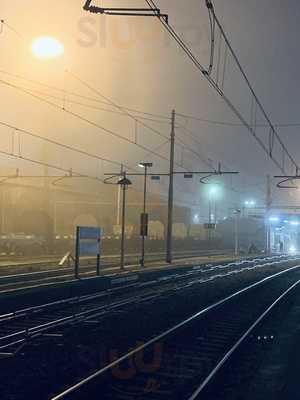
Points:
(22, 326)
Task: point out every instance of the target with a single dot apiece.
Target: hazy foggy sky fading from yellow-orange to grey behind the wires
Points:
(134, 63)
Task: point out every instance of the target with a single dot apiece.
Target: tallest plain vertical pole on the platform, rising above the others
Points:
(171, 192)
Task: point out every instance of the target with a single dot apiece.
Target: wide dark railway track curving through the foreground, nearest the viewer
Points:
(182, 362)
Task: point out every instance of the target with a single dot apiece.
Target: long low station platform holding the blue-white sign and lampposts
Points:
(33, 289)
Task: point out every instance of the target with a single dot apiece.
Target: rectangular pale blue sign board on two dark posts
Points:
(88, 243)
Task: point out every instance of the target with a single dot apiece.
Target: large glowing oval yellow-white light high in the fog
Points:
(46, 47)
